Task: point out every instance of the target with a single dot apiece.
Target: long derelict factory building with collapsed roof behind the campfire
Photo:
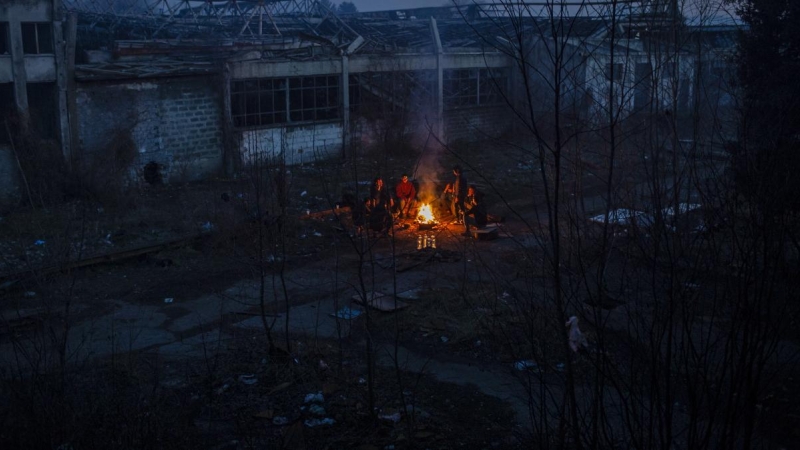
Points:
(198, 88)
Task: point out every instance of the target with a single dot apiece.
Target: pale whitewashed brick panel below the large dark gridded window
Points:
(297, 144)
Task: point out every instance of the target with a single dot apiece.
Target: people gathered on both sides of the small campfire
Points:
(378, 211)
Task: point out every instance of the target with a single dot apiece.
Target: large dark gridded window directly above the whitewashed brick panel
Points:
(269, 101)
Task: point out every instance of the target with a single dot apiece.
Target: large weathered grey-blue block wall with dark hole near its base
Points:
(175, 122)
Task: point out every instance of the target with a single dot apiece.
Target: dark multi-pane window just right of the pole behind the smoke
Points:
(474, 87)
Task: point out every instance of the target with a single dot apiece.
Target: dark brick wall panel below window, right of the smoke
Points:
(477, 123)
